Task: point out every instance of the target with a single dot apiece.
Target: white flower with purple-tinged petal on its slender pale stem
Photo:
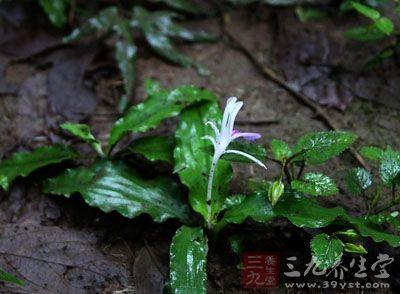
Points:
(223, 137)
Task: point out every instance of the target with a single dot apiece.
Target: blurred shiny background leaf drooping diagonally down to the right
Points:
(160, 42)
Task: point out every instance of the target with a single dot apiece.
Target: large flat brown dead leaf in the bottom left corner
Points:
(56, 260)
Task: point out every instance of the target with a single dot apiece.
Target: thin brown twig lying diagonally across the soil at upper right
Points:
(271, 75)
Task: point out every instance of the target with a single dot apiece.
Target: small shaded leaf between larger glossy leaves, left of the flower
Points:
(155, 148)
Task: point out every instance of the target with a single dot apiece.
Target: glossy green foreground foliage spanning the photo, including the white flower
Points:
(201, 152)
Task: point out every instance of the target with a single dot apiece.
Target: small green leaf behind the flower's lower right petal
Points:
(245, 146)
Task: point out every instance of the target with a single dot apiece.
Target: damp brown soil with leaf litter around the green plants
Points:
(64, 246)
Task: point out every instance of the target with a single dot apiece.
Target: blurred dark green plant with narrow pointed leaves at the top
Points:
(159, 28)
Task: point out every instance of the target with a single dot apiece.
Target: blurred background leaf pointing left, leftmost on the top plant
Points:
(103, 23)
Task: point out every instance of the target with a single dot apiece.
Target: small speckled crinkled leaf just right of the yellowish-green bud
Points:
(315, 184)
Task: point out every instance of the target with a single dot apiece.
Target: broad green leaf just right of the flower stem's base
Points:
(255, 206)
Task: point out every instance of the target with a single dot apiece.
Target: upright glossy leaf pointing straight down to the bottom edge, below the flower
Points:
(188, 261)
